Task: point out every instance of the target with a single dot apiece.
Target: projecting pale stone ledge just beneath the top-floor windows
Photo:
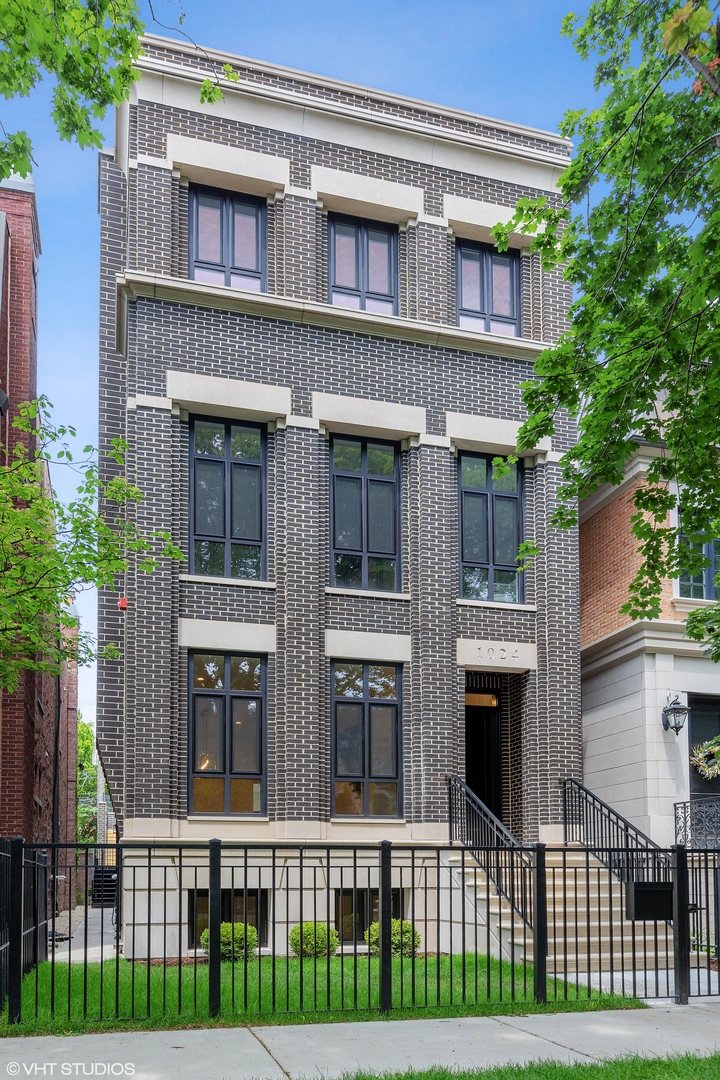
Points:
(135, 283)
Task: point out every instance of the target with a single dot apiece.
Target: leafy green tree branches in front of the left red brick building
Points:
(50, 551)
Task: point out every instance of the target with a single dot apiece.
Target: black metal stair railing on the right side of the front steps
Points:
(590, 821)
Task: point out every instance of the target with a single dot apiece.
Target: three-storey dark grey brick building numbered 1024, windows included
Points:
(315, 354)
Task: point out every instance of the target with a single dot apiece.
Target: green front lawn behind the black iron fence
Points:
(287, 991)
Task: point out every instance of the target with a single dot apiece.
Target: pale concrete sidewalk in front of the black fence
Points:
(332, 1050)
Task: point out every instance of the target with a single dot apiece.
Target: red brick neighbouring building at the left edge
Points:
(38, 722)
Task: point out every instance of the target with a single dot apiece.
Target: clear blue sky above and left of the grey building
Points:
(501, 60)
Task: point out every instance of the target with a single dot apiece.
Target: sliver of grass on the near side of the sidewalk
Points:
(628, 1069)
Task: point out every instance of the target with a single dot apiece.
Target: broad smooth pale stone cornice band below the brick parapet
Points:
(287, 111)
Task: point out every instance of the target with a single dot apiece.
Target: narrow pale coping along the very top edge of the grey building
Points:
(565, 145)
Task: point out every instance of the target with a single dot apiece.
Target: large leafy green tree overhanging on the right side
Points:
(637, 229)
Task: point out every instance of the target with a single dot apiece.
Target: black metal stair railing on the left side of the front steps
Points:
(505, 860)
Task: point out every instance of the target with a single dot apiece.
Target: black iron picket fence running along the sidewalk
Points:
(200, 930)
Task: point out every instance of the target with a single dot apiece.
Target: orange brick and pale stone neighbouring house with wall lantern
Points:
(633, 670)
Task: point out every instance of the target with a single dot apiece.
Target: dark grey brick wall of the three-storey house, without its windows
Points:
(143, 699)
